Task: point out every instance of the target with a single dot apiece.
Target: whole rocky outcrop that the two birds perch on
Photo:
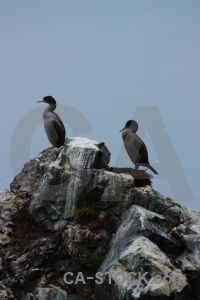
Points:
(73, 228)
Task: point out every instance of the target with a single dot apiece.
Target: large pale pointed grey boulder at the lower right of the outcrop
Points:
(133, 256)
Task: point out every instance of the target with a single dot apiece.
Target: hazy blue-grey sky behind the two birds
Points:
(105, 62)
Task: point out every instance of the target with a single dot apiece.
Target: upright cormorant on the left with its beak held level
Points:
(53, 125)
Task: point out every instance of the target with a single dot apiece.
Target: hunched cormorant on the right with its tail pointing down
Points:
(135, 147)
